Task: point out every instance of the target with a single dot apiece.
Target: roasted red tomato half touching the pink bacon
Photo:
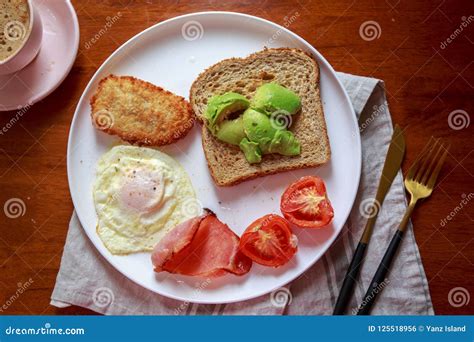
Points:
(269, 241)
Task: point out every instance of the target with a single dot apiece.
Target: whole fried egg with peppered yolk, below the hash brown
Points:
(140, 194)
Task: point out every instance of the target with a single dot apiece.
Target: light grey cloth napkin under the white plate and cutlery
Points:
(86, 279)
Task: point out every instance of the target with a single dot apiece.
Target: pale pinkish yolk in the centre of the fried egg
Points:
(143, 191)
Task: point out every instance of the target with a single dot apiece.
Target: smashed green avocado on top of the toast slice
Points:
(256, 130)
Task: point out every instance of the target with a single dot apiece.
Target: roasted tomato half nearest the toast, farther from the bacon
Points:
(305, 203)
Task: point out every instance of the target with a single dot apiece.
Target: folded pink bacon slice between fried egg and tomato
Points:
(202, 246)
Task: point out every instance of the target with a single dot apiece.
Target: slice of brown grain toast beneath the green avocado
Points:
(291, 68)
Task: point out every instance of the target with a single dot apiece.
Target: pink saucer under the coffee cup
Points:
(54, 61)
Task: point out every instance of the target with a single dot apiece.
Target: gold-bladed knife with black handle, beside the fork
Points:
(392, 164)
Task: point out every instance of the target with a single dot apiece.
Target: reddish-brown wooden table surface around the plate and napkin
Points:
(430, 92)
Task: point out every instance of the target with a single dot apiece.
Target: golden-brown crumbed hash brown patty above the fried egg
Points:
(140, 112)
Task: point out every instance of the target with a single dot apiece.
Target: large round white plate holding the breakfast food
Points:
(172, 54)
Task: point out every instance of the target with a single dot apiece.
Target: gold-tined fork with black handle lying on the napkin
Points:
(419, 182)
